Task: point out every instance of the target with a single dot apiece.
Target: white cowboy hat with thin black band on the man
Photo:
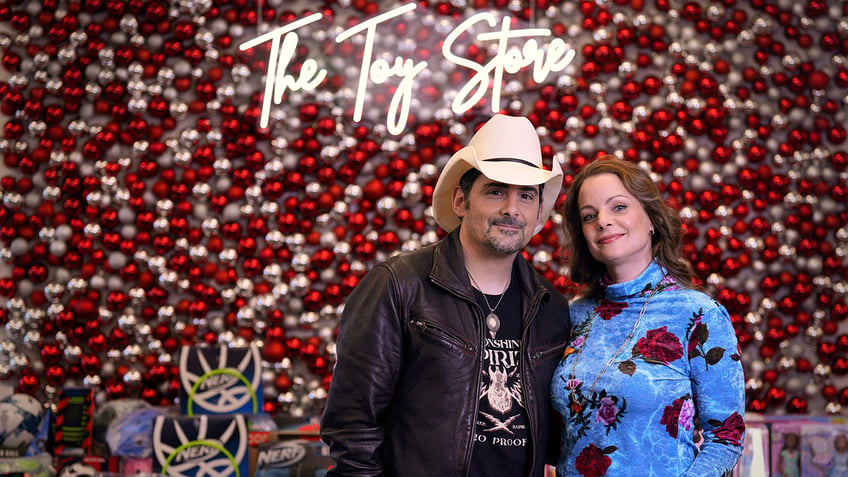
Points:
(505, 149)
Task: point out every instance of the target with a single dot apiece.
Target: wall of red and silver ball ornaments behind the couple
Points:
(145, 208)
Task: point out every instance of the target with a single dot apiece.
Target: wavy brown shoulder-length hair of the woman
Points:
(666, 241)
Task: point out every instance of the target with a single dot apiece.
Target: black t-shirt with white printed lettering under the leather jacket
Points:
(502, 436)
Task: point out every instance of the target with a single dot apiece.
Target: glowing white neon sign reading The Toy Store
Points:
(545, 59)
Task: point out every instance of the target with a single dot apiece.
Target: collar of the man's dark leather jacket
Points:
(449, 268)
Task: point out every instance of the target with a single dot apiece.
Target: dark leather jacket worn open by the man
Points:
(404, 393)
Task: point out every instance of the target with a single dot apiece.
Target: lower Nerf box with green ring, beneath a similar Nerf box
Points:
(201, 445)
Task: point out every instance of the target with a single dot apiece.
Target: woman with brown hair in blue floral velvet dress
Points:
(651, 357)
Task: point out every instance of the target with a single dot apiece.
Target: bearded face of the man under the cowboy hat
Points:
(497, 217)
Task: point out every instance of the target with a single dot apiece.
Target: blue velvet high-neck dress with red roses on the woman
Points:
(637, 380)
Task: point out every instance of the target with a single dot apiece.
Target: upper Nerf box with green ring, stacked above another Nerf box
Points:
(220, 380)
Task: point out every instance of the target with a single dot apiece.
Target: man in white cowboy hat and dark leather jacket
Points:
(445, 354)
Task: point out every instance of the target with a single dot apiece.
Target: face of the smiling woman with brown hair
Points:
(616, 227)
